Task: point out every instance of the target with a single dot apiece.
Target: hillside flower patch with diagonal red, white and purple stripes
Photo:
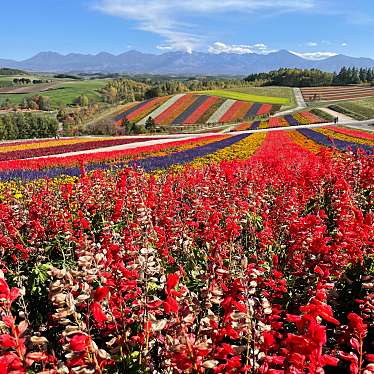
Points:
(195, 109)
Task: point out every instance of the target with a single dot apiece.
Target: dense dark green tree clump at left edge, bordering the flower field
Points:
(27, 125)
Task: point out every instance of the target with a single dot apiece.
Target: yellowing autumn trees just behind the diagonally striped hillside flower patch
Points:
(125, 89)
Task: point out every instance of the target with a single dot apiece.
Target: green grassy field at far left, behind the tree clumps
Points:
(65, 93)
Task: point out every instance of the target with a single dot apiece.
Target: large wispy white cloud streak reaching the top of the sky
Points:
(167, 17)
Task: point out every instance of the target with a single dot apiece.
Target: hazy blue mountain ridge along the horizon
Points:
(180, 63)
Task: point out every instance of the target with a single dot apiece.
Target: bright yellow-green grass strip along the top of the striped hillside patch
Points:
(248, 94)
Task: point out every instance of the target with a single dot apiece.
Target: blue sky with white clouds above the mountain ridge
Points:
(314, 29)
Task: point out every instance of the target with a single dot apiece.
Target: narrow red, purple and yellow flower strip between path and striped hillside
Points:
(297, 119)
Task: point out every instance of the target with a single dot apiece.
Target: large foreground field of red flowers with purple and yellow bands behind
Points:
(246, 253)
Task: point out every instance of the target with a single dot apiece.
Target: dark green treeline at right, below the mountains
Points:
(312, 77)
